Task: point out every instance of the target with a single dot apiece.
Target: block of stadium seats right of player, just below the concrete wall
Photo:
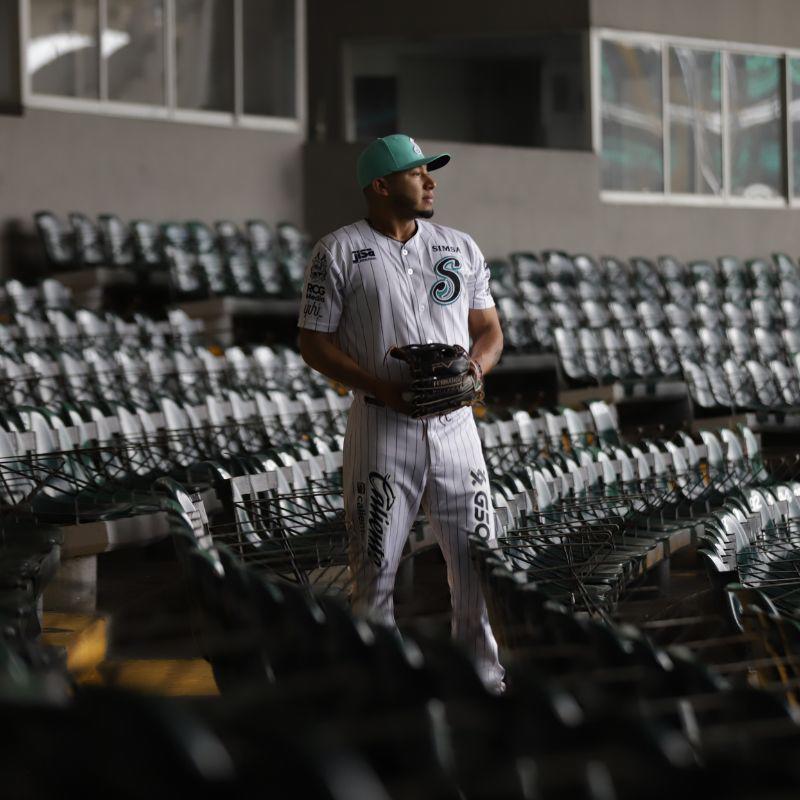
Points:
(731, 331)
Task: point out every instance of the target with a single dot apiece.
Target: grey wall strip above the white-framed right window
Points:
(768, 22)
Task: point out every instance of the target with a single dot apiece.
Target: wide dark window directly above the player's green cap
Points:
(523, 91)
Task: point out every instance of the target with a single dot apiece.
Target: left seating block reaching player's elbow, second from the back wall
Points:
(50, 349)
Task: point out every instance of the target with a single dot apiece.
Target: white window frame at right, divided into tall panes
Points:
(726, 49)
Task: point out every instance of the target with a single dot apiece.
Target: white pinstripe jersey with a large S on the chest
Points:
(376, 292)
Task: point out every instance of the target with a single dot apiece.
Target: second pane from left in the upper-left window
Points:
(133, 44)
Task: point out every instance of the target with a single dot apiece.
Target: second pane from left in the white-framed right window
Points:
(695, 119)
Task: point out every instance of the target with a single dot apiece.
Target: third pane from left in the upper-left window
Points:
(204, 54)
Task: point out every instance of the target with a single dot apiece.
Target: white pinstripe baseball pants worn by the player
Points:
(393, 465)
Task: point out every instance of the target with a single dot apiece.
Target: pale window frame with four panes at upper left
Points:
(170, 111)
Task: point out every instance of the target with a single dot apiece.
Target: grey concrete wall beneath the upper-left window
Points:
(137, 168)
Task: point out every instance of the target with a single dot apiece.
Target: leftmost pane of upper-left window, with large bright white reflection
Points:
(62, 48)
